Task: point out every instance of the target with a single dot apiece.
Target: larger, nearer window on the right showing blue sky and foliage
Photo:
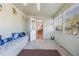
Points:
(72, 21)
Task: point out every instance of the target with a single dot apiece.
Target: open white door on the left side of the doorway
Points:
(32, 29)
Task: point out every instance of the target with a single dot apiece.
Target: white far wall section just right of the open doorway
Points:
(48, 28)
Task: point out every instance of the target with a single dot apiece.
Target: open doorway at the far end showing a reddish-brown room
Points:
(39, 29)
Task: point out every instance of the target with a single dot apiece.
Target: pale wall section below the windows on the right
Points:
(69, 42)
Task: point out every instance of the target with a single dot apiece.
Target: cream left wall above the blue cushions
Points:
(9, 22)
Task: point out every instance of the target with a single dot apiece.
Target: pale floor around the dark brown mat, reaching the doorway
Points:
(47, 45)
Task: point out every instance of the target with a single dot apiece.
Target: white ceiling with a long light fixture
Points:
(46, 9)
